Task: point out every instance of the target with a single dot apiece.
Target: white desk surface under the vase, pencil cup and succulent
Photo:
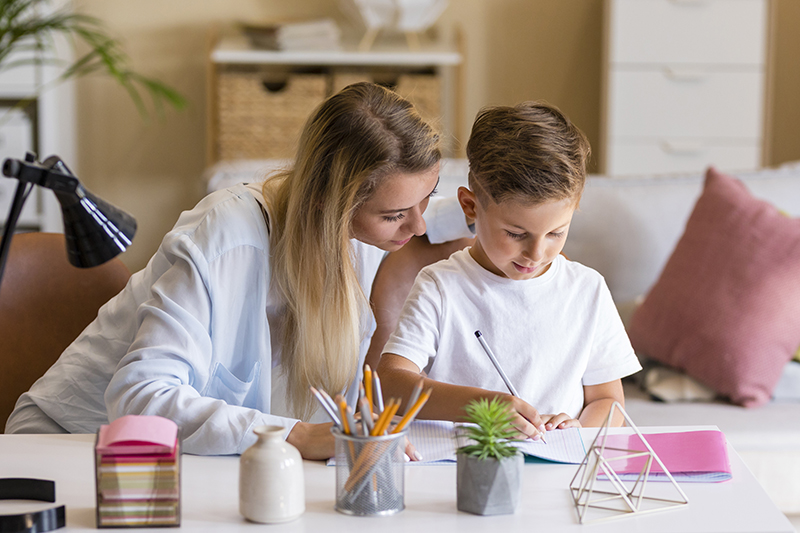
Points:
(210, 496)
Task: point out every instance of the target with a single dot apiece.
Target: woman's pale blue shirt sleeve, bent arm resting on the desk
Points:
(168, 369)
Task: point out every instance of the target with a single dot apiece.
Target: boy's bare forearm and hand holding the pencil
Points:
(399, 376)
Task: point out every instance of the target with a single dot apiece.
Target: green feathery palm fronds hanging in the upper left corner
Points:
(28, 32)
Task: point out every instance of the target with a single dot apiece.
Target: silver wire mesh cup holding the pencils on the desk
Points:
(369, 473)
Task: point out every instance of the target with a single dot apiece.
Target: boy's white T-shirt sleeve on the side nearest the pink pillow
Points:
(612, 356)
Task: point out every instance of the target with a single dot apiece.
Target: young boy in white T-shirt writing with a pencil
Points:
(550, 322)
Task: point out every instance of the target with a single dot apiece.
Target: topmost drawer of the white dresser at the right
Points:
(688, 31)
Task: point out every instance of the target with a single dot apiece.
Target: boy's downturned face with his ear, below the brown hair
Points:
(516, 240)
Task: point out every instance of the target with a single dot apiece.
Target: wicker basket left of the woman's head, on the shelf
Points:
(262, 120)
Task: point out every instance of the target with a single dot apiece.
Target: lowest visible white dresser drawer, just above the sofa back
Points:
(666, 157)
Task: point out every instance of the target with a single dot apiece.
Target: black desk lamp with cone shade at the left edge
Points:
(95, 230)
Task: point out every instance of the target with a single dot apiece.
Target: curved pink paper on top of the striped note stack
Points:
(138, 435)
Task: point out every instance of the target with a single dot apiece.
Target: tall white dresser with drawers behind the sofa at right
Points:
(684, 85)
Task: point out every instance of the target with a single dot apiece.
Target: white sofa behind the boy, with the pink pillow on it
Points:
(626, 229)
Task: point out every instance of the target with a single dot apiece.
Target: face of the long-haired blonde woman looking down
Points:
(393, 214)
